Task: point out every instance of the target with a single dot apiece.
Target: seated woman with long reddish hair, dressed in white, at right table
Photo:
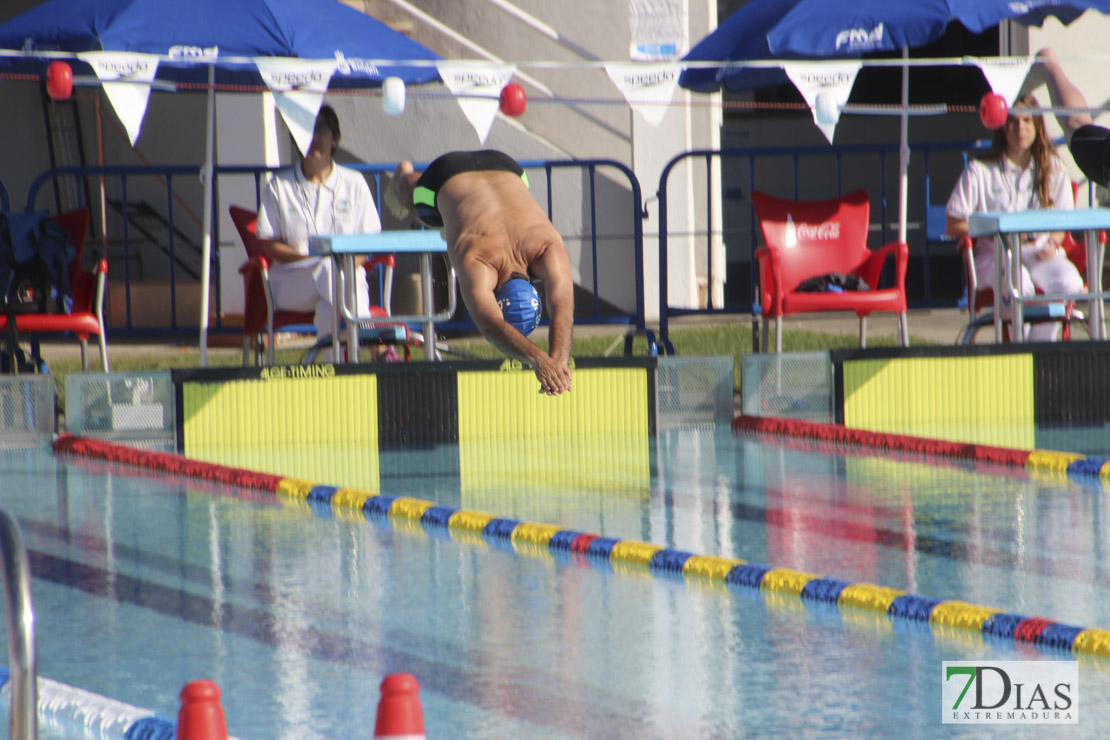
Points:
(1022, 173)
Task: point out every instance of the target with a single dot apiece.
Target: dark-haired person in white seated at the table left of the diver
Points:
(318, 197)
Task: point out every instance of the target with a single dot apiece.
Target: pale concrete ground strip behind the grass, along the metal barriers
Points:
(939, 327)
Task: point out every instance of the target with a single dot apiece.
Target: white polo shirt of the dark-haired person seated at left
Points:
(294, 209)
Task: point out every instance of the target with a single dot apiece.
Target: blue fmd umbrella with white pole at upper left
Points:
(214, 42)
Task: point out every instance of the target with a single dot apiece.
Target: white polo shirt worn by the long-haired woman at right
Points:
(1003, 186)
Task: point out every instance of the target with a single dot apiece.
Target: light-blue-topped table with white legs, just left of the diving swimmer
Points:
(342, 249)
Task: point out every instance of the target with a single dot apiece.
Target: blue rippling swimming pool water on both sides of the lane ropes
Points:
(145, 583)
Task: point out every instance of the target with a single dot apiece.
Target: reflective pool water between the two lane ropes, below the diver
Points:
(988, 535)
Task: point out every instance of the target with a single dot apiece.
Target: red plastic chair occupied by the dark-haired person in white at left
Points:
(261, 318)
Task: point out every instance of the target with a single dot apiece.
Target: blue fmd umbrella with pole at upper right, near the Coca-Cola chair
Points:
(825, 29)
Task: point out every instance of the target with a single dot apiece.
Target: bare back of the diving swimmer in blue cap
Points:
(490, 217)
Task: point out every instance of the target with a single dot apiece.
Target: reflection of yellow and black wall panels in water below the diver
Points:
(556, 480)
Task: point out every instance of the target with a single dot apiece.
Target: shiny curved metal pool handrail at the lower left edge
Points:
(21, 613)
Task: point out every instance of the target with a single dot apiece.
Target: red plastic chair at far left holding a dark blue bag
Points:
(88, 292)
